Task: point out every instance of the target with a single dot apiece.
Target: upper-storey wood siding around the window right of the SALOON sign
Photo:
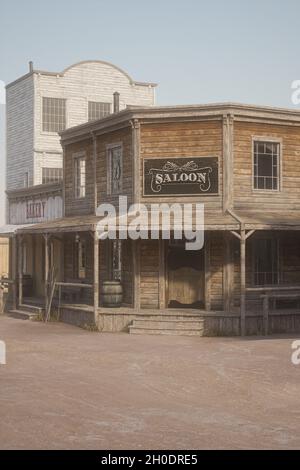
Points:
(245, 197)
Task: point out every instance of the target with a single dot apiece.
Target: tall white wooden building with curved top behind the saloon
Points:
(40, 104)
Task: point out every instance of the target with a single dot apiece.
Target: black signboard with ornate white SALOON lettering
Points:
(181, 176)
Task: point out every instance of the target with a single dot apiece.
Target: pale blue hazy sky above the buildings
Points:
(198, 51)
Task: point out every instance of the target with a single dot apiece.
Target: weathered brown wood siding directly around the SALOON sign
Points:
(184, 139)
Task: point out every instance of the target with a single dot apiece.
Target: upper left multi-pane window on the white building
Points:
(54, 114)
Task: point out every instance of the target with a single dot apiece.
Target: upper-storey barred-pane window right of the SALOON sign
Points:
(266, 165)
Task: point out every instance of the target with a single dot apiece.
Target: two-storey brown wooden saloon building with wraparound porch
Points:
(242, 162)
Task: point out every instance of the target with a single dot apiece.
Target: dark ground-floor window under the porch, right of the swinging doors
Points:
(266, 261)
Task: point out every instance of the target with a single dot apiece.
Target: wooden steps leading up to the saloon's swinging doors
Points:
(179, 325)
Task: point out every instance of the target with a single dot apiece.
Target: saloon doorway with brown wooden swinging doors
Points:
(185, 276)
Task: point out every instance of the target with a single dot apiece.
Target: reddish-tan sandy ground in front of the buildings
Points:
(66, 388)
